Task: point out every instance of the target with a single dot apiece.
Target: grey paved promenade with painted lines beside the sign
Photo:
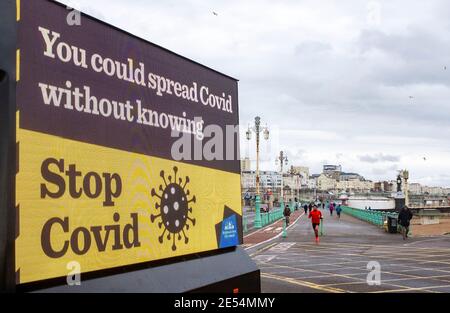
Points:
(339, 262)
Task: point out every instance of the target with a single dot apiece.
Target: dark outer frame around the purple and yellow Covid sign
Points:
(10, 72)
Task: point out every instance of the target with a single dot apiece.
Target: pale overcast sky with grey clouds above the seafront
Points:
(357, 83)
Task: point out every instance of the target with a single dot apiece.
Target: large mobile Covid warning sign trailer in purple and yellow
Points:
(102, 188)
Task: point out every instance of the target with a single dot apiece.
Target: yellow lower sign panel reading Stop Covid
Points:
(106, 208)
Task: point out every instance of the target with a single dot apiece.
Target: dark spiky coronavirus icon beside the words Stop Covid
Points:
(174, 208)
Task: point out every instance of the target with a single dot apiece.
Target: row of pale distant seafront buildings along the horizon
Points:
(298, 182)
